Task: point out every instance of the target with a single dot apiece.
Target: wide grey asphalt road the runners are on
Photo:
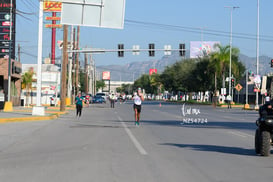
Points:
(173, 143)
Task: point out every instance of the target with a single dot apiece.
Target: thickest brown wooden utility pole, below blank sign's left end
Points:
(64, 69)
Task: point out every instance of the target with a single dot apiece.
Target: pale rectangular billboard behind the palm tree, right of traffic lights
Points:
(202, 48)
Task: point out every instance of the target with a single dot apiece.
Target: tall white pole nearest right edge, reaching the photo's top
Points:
(257, 50)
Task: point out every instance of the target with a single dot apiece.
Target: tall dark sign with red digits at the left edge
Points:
(6, 25)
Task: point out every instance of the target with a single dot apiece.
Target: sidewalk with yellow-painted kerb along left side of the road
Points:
(24, 114)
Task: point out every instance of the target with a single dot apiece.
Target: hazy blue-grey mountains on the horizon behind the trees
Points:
(132, 71)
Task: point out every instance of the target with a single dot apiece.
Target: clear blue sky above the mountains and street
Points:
(183, 21)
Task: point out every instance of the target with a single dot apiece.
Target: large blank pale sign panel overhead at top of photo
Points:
(95, 13)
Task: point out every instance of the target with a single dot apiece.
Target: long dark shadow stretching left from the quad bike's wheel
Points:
(215, 148)
